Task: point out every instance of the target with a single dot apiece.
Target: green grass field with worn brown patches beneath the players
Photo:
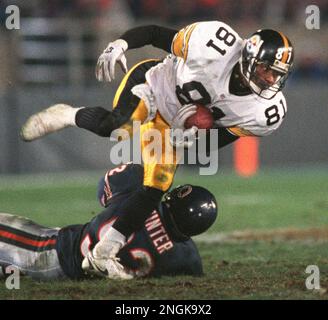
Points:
(289, 203)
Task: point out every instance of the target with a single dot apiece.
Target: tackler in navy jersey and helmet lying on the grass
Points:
(162, 247)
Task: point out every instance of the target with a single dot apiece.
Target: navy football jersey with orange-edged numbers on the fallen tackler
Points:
(148, 252)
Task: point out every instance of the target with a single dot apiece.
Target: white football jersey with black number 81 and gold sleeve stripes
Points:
(199, 71)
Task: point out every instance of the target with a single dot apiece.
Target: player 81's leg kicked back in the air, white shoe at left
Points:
(95, 119)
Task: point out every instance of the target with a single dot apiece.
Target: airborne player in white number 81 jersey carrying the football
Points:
(209, 64)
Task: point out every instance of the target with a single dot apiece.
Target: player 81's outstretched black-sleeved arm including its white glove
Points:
(157, 36)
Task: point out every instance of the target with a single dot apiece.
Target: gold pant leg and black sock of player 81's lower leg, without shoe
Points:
(159, 171)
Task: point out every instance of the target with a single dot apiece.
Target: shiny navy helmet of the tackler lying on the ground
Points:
(188, 211)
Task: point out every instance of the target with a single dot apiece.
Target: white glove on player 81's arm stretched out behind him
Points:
(114, 53)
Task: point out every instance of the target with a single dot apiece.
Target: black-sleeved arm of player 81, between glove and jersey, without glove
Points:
(160, 37)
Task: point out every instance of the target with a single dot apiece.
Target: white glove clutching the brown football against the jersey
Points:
(179, 136)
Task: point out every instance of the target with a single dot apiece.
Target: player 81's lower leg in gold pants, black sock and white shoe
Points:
(158, 176)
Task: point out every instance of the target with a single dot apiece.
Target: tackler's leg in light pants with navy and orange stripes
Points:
(29, 247)
